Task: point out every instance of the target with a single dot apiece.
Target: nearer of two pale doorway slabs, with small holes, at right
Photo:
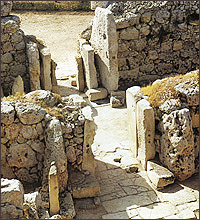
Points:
(146, 131)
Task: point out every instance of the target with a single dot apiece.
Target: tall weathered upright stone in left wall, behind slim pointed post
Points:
(54, 151)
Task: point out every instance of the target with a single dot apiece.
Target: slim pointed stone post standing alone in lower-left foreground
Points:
(53, 190)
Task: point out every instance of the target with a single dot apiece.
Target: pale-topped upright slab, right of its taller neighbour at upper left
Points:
(45, 73)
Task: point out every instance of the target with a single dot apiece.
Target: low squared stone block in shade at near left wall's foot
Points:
(87, 188)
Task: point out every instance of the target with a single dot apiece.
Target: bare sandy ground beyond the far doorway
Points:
(59, 30)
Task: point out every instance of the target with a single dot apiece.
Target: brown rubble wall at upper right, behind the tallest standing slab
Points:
(156, 39)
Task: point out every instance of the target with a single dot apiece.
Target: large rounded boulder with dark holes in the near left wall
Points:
(21, 155)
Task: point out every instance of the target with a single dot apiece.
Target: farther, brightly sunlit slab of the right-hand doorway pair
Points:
(132, 96)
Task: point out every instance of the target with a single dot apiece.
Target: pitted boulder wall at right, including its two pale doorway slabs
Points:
(171, 130)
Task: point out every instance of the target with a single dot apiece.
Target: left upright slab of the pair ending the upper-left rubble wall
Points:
(34, 65)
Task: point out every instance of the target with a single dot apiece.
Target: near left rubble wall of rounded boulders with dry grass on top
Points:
(32, 137)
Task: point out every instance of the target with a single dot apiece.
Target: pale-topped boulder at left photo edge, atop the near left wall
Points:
(7, 113)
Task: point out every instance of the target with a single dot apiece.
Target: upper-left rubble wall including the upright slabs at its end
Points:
(23, 56)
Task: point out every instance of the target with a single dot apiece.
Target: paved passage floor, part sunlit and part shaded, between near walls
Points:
(126, 194)
